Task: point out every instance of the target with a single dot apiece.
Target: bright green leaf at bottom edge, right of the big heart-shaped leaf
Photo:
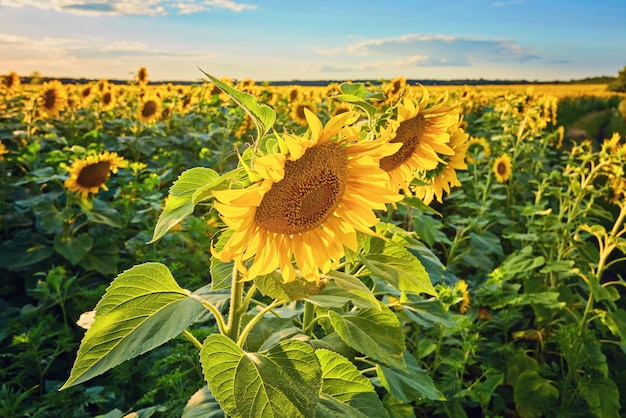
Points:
(343, 382)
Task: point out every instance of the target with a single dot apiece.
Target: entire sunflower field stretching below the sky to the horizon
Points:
(383, 249)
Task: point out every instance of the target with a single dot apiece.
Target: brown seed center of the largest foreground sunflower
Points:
(308, 194)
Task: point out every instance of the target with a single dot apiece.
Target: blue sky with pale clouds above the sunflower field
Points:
(312, 40)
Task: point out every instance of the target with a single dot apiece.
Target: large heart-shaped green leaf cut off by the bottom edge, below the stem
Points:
(284, 381)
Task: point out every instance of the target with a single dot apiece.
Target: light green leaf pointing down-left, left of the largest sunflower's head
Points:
(191, 187)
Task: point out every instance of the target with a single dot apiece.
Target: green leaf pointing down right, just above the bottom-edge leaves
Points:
(374, 332)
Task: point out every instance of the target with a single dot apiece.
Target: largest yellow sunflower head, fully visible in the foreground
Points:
(309, 203)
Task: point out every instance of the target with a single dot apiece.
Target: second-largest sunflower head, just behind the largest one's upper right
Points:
(423, 131)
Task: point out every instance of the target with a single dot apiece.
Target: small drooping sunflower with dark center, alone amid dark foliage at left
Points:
(89, 175)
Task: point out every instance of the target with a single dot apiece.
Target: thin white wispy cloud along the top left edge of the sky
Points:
(131, 7)
